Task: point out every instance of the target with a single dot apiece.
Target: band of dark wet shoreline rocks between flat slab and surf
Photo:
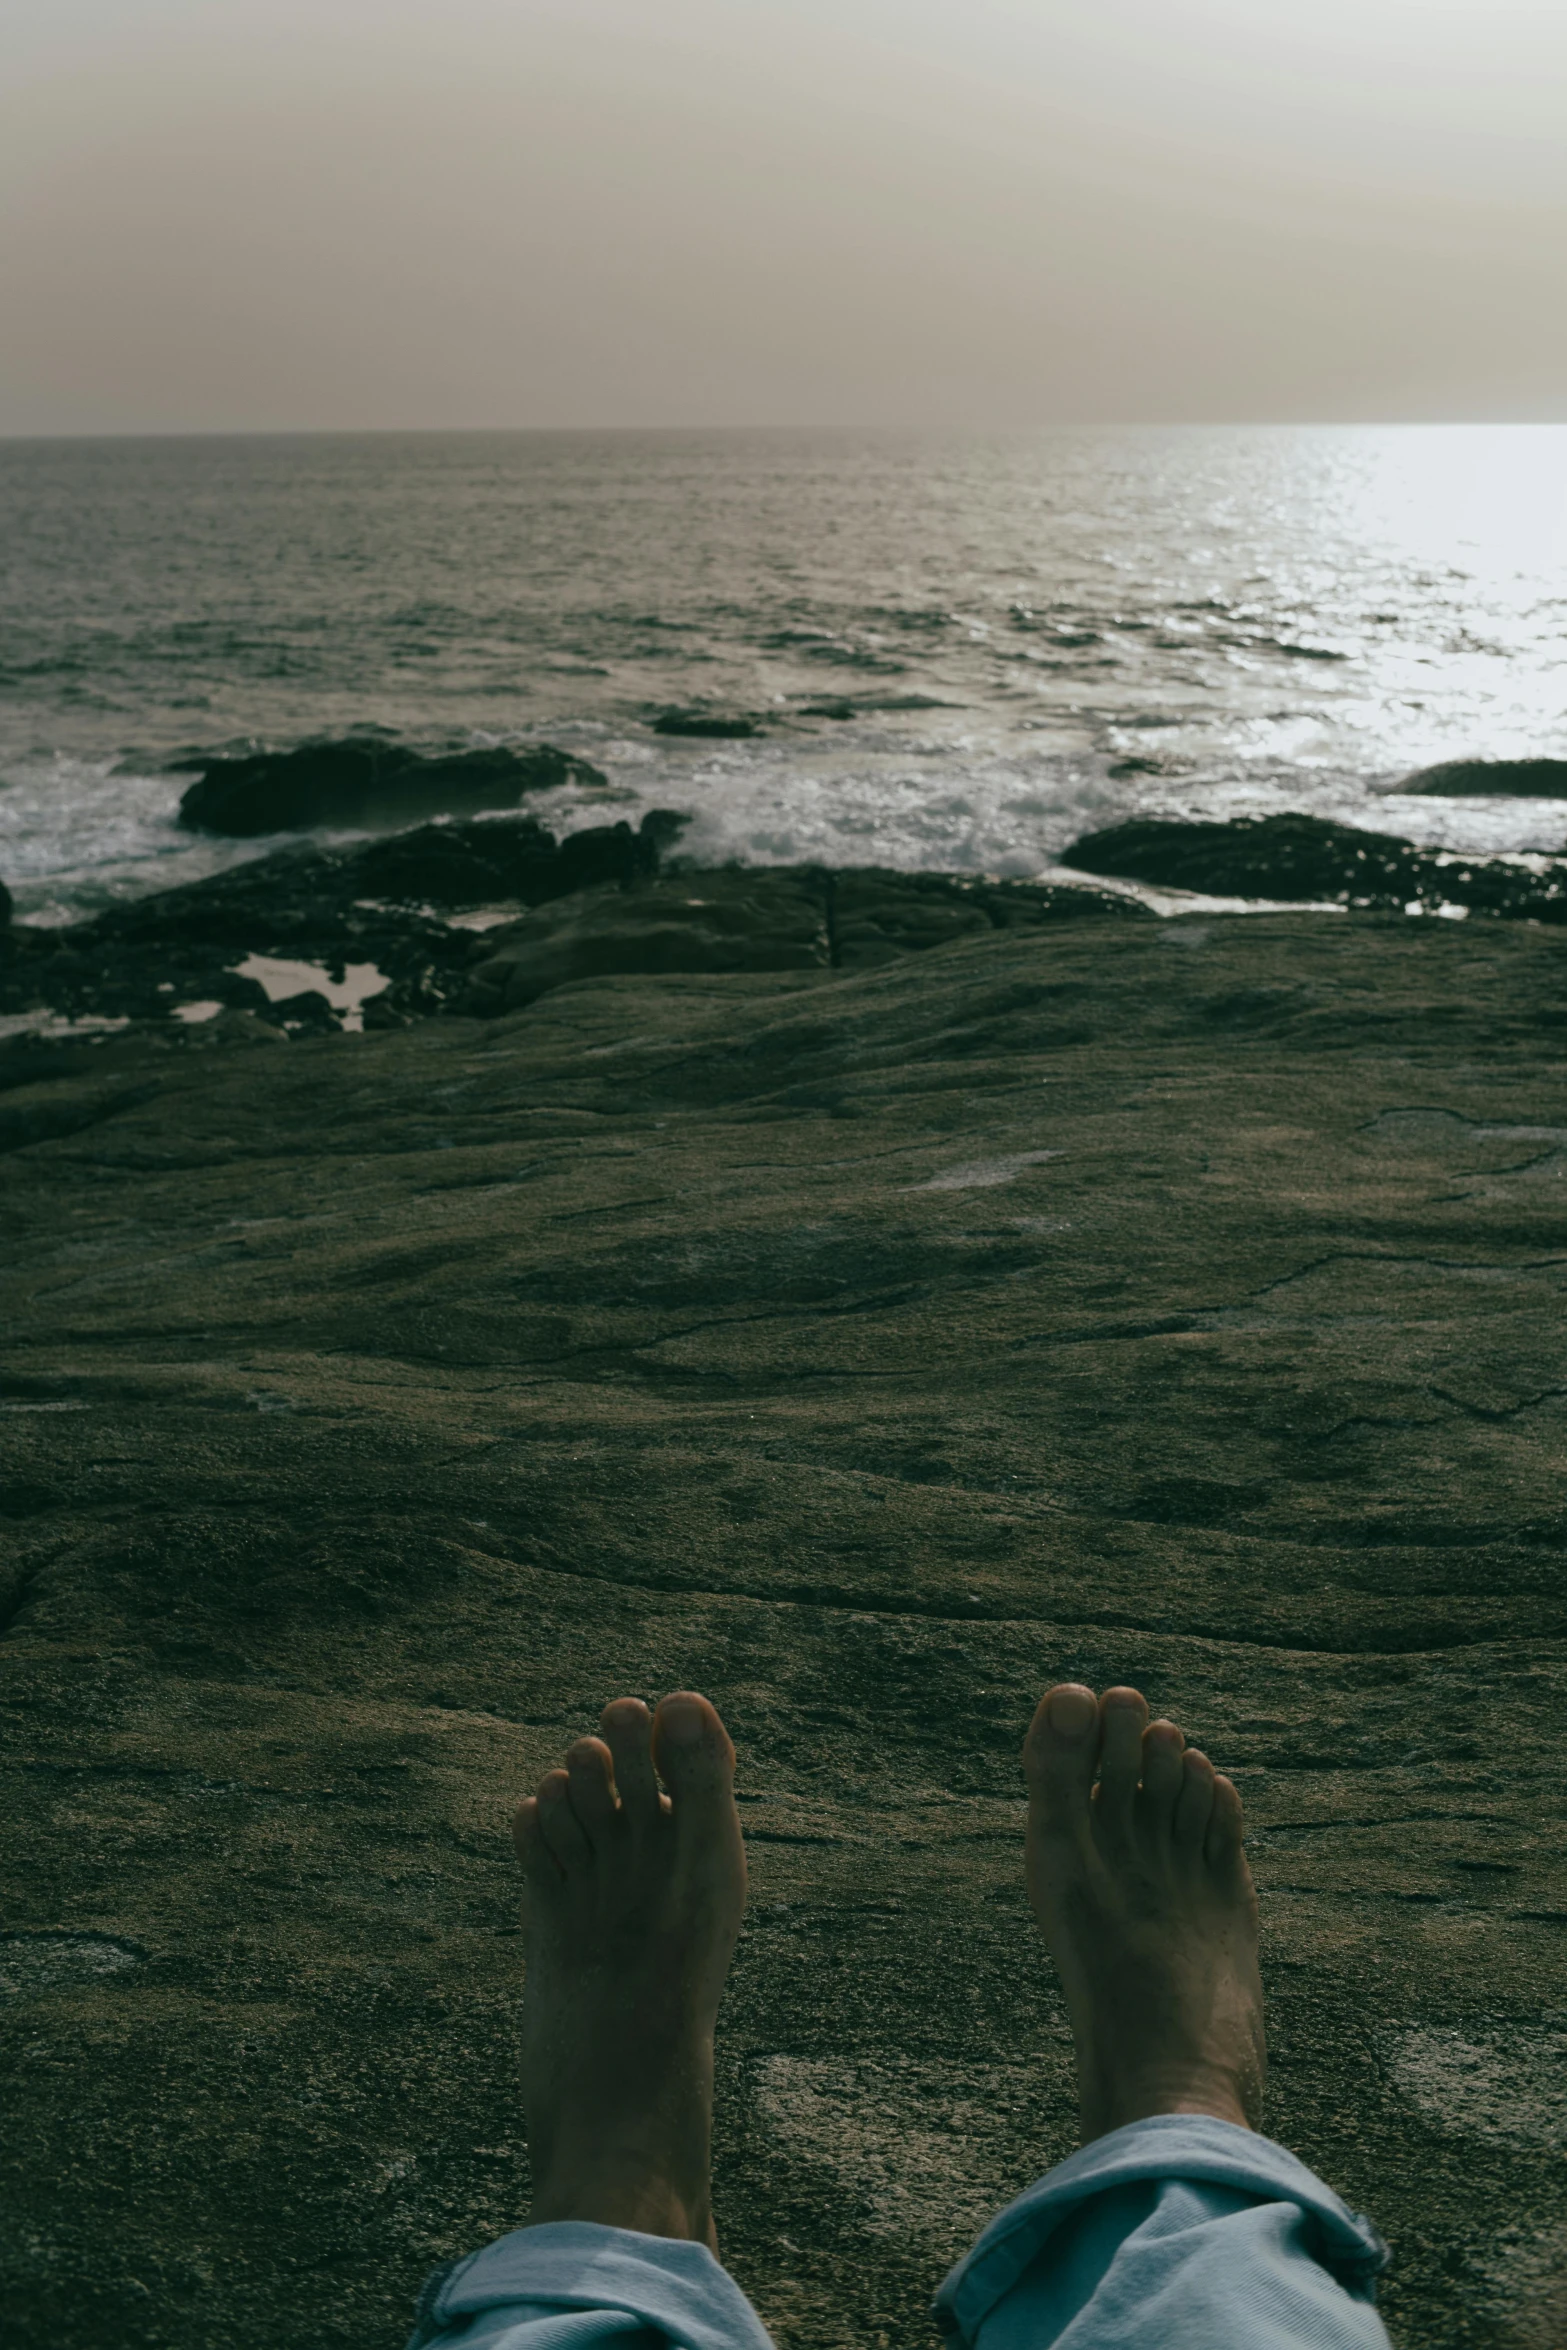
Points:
(478, 918)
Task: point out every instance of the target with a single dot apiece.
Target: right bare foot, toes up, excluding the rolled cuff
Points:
(1148, 1907)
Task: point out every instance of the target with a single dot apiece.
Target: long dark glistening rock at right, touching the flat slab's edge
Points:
(1307, 859)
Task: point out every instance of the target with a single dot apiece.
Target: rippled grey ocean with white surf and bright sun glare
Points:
(960, 654)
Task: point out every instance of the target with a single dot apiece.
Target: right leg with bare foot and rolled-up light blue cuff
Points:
(1176, 2222)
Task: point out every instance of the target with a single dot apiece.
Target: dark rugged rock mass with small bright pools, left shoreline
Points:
(596, 904)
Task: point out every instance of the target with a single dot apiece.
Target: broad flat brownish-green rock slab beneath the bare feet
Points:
(1171, 1303)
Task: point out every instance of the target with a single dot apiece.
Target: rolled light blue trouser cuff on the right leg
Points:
(1176, 2234)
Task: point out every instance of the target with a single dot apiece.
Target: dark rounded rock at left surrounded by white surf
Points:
(370, 784)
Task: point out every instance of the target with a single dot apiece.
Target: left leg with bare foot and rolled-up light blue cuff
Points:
(633, 1902)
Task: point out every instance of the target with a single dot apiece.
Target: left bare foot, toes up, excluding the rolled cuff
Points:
(631, 1919)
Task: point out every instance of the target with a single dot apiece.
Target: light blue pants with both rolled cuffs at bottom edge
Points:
(1181, 2234)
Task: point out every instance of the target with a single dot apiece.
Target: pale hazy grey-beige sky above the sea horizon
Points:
(255, 215)
